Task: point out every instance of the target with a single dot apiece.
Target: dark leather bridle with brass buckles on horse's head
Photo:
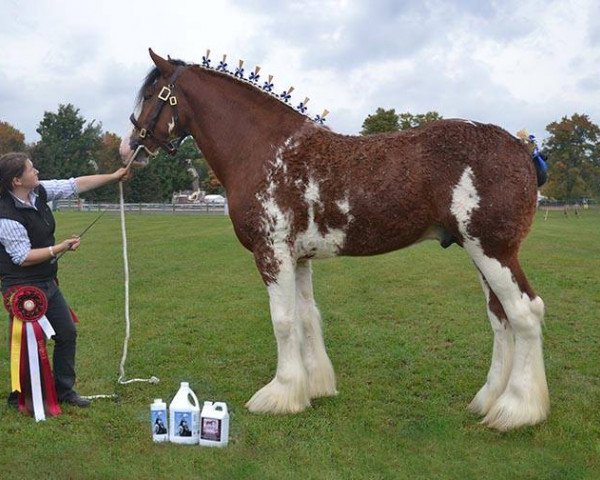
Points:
(166, 94)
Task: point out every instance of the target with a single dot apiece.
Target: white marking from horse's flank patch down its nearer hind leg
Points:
(525, 400)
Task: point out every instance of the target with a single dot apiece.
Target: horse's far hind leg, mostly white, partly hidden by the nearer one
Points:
(502, 354)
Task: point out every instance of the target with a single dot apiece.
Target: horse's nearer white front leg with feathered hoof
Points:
(288, 391)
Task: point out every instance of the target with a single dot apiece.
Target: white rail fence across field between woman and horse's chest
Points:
(193, 208)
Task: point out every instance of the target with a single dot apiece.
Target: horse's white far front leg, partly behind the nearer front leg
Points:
(321, 377)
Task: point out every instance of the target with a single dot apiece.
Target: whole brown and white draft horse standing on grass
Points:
(298, 191)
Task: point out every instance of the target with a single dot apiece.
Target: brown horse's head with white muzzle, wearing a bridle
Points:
(159, 120)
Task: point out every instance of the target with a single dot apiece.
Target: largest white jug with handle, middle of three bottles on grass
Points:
(184, 415)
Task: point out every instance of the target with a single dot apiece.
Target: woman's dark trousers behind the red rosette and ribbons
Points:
(65, 340)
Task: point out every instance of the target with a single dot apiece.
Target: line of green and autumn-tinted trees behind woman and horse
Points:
(70, 145)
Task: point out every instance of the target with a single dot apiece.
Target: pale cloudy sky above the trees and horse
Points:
(514, 63)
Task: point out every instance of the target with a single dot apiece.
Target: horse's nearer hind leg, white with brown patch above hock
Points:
(525, 400)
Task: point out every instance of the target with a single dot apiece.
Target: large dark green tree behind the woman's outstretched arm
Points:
(68, 144)
